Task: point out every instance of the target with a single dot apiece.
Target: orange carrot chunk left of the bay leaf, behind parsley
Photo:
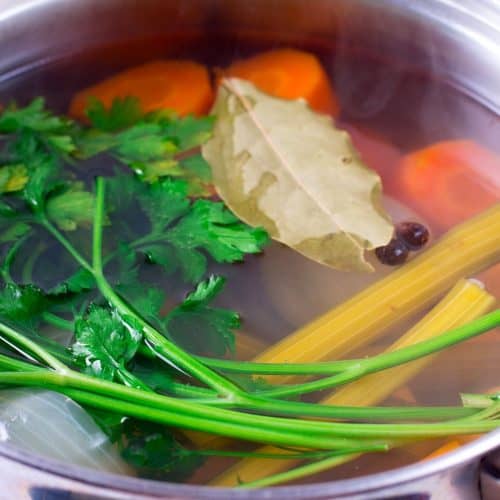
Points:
(181, 85)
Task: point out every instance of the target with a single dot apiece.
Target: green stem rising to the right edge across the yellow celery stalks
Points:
(389, 360)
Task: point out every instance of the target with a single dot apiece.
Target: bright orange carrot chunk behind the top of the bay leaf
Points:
(289, 74)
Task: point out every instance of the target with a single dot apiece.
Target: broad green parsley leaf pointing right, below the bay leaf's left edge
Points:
(181, 233)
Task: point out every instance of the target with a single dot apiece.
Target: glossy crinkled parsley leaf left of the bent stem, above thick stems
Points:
(106, 343)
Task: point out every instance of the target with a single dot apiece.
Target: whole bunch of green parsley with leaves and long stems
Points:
(93, 222)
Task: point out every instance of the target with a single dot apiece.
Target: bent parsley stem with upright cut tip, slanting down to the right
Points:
(164, 348)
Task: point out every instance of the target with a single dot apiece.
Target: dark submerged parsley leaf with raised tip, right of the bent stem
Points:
(201, 328)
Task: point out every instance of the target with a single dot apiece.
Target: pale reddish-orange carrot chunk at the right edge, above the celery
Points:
(450, 181)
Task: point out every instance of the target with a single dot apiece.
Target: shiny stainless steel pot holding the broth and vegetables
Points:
(459, 40)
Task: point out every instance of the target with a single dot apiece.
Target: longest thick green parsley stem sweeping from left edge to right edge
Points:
(334, 434)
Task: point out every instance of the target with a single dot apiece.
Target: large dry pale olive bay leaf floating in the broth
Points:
(279, 165)
